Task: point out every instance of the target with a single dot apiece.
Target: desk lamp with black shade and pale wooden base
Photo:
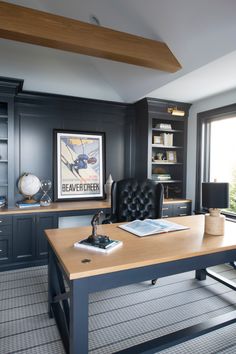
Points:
(215, 196)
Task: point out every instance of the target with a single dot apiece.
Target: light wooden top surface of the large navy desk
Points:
(137, 251)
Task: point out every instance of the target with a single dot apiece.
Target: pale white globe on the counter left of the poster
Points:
(29, 185)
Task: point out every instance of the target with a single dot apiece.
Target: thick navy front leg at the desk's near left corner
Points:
(79, 298)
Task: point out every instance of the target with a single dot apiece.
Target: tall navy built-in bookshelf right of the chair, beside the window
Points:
(165, 145)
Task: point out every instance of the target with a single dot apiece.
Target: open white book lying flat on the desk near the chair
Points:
(151, 226)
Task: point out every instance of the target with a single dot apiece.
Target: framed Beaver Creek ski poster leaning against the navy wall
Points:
(79, 165)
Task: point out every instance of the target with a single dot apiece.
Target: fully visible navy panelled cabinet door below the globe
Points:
(23, 237)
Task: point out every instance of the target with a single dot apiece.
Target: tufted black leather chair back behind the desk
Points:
(132, 199)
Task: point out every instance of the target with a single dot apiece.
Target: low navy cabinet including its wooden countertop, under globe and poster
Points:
(22, 239)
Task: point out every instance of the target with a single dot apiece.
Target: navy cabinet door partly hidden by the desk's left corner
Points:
(43, 222)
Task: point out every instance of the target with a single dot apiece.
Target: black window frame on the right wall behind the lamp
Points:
(203, 147)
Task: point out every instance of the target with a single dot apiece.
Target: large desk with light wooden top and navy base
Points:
(137, 260)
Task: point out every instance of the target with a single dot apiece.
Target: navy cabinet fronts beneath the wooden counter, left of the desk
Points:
(22, 240)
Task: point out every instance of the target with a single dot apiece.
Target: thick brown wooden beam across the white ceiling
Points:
(37, 27)
